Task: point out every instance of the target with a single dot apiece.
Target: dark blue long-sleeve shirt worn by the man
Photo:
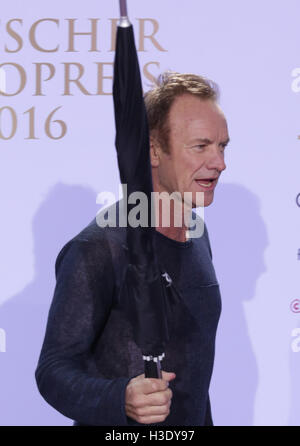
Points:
(89, 356)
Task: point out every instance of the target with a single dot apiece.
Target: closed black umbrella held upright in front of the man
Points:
(147, 290)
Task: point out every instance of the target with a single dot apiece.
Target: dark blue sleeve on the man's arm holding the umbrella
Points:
(66, 374)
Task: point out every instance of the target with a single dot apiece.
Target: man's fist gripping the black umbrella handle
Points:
(148, 400)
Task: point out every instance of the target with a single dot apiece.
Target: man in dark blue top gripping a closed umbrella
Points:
(90, 368)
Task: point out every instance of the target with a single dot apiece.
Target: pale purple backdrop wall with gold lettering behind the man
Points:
(49, 186)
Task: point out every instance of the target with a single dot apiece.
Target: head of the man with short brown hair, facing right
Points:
(188, 135)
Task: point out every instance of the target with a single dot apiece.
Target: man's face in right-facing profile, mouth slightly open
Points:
(198, 136)
